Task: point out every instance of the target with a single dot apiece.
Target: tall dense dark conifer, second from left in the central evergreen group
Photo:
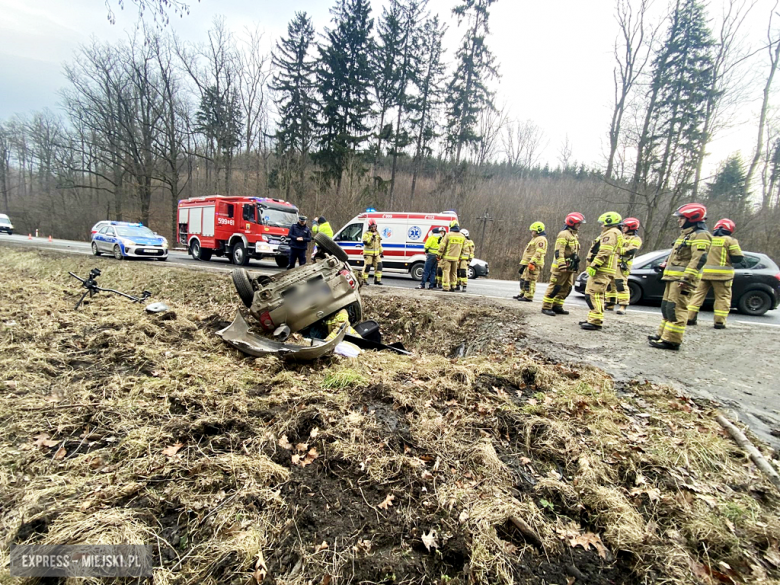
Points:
(344, 79)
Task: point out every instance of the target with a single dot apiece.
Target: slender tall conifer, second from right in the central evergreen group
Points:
(429, 93)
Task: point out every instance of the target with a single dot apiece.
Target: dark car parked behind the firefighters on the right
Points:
(756, 287)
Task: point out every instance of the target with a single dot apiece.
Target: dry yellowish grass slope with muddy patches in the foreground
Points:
(122, 427)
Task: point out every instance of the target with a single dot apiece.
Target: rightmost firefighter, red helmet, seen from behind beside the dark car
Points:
(718, 273)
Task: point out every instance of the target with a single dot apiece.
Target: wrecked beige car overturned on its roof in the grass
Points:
(320, 301)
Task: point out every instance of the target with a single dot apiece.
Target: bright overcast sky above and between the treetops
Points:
(555, 57)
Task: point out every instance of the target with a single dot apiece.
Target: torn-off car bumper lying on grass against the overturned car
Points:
(239, 336)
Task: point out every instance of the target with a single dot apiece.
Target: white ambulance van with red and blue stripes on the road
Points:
(403, 238)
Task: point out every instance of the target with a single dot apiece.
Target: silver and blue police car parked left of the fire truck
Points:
(128, 240)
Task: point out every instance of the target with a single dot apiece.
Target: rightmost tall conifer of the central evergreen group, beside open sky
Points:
(467, 92)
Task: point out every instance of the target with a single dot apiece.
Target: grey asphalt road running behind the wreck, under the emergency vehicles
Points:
(486, 287)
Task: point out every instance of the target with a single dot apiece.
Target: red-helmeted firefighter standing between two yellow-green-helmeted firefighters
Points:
(566, 264)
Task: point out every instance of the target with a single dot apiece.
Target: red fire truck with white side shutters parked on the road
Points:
(238, 228)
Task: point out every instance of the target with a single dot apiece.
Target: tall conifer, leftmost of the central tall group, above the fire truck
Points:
(294, 84)
